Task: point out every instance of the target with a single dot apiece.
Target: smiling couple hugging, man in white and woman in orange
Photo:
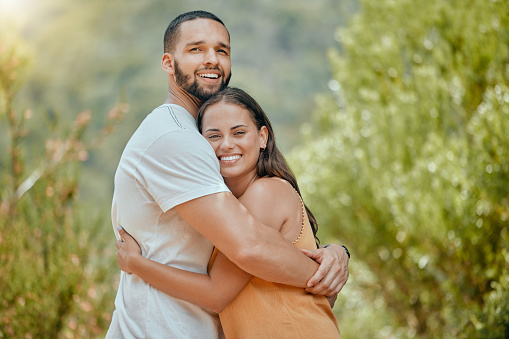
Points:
(209, 215)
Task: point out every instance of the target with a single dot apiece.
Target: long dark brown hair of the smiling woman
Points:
(271, 162)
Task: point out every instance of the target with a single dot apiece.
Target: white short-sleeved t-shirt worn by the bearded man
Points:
(166, 163)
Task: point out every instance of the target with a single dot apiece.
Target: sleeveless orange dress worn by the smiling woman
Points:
(269, 310)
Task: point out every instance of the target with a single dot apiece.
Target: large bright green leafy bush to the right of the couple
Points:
(410, 165)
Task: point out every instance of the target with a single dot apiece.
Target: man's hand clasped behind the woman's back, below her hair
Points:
(332, 275)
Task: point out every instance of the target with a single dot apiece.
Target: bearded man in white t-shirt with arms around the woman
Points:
(170, 196)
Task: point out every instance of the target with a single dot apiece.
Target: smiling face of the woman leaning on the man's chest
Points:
(234, 137)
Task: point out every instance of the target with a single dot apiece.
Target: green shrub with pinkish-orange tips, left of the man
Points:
(54, 281)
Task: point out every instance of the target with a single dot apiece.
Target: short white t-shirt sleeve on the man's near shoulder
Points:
(178, 167)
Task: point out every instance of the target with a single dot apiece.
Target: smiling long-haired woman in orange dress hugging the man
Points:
(257, 174)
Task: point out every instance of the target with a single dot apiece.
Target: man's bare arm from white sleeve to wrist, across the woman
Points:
(254, 247)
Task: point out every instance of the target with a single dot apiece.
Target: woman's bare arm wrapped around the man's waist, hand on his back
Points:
(213, 291)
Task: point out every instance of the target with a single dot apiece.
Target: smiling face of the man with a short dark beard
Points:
(202, 58)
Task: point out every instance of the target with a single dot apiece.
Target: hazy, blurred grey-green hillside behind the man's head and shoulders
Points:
(87, 55)
